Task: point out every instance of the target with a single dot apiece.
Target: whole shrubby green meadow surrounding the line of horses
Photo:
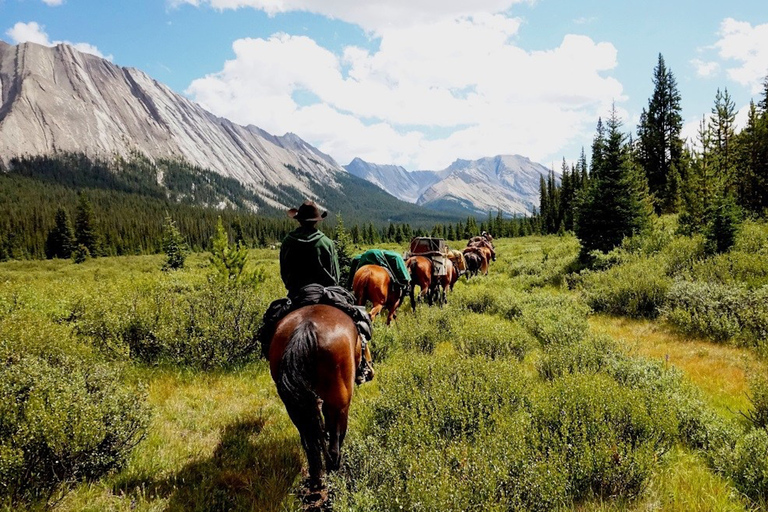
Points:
(639, 384)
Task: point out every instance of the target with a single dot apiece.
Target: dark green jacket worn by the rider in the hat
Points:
(307, 256)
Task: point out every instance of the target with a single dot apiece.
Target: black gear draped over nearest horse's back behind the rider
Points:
(309, 296)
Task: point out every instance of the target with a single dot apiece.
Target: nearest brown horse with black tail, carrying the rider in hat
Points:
(313, 357)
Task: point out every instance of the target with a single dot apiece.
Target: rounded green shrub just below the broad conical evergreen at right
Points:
(636, 289)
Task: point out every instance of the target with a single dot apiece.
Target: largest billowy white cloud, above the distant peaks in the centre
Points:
(427, 95)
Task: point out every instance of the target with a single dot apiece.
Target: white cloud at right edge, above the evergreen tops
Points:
(747, 44)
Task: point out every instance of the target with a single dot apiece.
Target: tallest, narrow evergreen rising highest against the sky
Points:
(660, 146)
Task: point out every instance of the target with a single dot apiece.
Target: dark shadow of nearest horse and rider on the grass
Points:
(248, 471)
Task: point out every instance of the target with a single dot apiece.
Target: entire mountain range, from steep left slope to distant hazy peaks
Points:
(59, 100)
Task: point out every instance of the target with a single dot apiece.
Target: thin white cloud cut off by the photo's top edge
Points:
(373, 15)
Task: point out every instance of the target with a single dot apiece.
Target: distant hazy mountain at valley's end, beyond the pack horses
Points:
(509, 183)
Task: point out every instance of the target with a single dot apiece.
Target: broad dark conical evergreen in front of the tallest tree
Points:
(615, 204)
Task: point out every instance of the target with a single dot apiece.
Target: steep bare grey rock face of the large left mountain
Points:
(60, 99)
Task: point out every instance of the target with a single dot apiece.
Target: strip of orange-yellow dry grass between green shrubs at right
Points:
(719, 370)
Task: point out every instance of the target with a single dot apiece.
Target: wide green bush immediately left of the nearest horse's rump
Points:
(209, 326)
